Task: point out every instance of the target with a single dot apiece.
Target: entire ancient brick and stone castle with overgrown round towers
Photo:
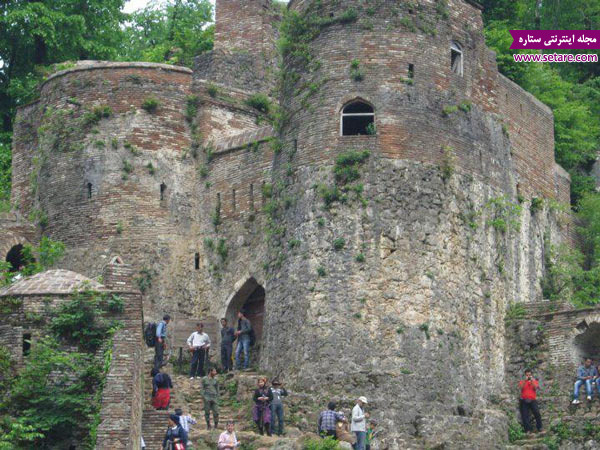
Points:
(360, 180)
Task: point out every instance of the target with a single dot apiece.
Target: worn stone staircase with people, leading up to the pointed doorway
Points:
(236, 390)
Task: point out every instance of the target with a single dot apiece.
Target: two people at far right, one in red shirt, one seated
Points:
(587, 374)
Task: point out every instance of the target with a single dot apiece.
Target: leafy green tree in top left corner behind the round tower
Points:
(34, 34)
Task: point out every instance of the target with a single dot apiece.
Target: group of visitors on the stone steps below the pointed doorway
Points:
(268, 401)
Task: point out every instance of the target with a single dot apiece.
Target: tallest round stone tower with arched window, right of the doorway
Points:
(401, 198)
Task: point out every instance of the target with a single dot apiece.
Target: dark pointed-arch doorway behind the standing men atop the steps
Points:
(251, 298)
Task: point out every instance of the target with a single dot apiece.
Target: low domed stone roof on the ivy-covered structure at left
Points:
(50, 282)
